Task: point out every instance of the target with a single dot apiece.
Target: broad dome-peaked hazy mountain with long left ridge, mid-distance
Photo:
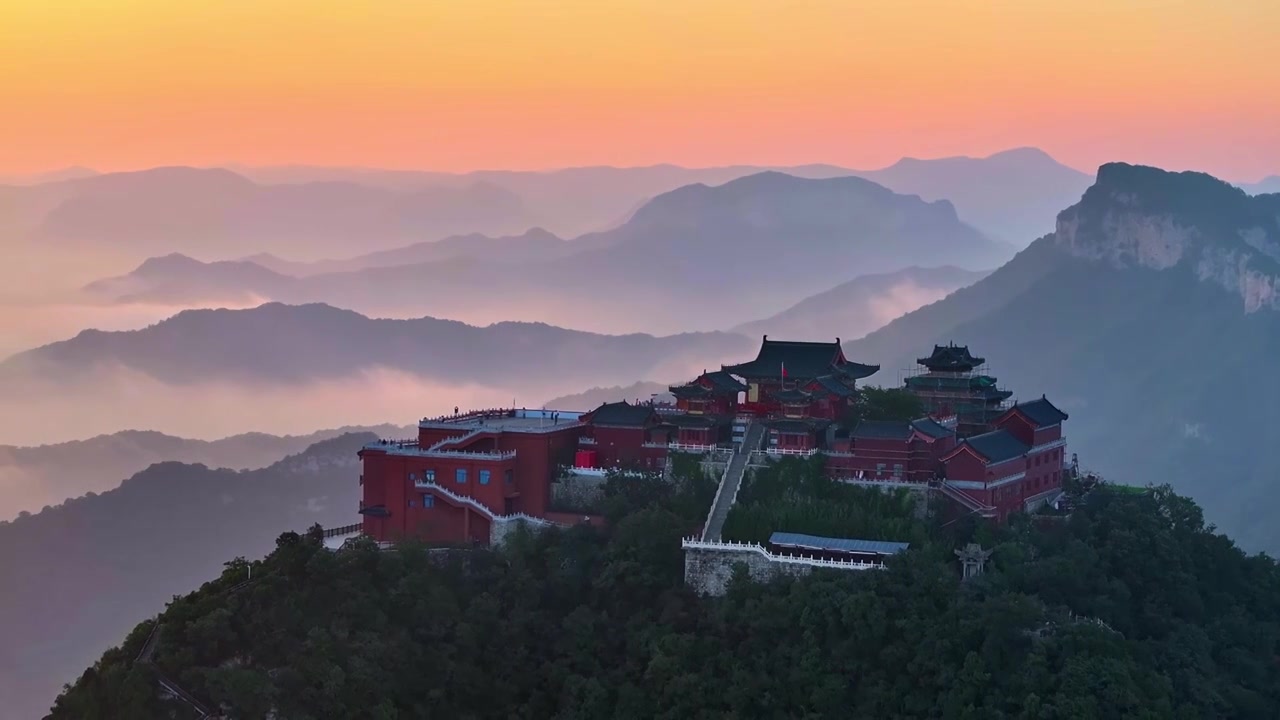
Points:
(743, 249)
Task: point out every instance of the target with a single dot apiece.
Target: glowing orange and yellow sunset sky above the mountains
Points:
(460, 85)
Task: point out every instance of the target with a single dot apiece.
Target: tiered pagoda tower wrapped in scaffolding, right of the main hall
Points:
(953, 384)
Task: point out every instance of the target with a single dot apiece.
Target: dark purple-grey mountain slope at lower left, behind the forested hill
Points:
(80, 576)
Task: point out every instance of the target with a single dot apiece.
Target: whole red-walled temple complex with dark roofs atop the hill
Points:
(468, 476)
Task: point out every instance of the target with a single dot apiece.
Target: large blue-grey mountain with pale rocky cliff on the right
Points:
(1153, 315)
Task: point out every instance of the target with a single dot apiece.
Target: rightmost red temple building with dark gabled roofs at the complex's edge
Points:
(1016, 467)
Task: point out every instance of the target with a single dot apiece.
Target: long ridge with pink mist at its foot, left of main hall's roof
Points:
(289, 370)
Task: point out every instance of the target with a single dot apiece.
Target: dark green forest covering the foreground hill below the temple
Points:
(1132, 608)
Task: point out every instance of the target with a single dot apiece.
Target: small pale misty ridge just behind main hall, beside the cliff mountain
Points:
(863, 304)
